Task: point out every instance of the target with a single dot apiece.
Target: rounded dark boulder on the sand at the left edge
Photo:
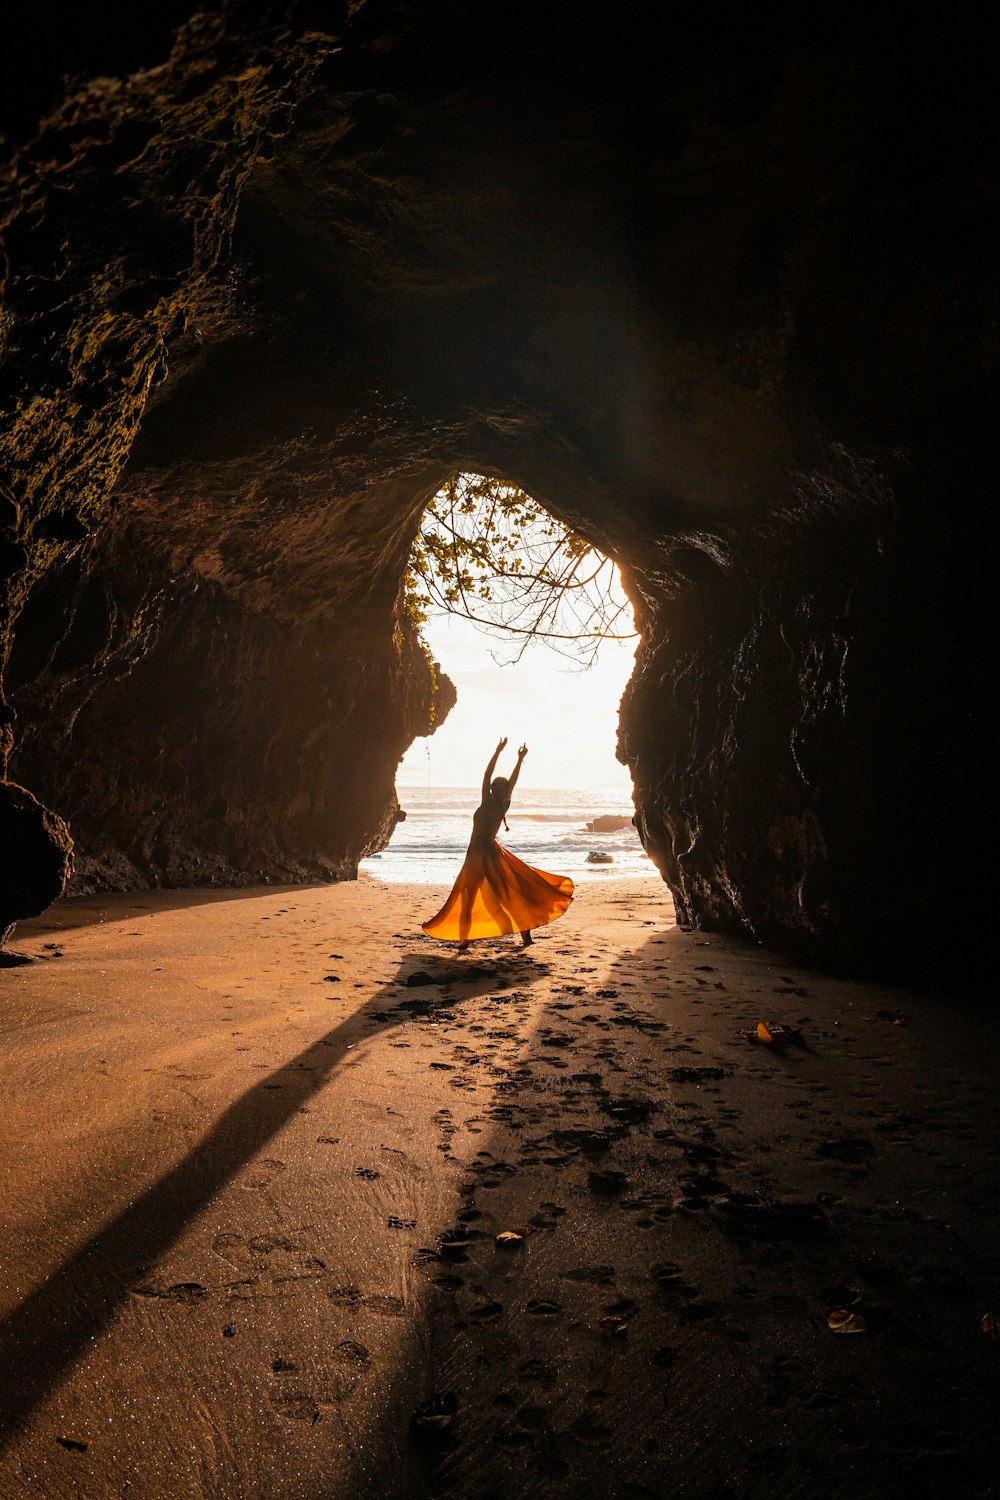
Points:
(37, 857)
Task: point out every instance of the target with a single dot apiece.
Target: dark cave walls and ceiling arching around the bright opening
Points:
(722, 307)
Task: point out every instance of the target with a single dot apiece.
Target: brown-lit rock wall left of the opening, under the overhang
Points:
(250, 655)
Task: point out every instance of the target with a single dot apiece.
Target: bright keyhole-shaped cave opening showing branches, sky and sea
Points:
(534, 631)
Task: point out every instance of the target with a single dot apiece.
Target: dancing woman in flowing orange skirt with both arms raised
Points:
(497, 893)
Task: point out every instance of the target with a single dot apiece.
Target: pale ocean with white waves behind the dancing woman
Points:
(548, 829)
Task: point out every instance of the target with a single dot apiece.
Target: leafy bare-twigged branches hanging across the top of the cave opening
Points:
(488, 553)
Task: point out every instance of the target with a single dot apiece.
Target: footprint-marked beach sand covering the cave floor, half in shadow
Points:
(259, 1148)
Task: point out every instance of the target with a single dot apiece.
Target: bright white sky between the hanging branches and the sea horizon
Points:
(566, 716)
